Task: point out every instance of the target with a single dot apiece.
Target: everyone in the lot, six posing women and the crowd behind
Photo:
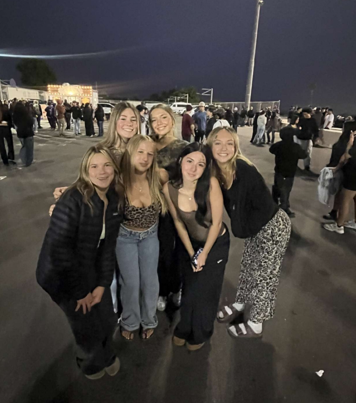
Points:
(142, 226)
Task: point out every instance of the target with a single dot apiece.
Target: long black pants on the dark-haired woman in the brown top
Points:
(201, 293)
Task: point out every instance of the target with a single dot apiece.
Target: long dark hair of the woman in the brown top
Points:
(203, 184)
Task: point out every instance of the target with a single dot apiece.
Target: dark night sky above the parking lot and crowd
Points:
(169, 44)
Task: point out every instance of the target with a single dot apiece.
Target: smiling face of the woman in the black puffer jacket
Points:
(101, 171)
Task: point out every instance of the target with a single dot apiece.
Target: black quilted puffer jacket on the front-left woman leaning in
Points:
(71, 264)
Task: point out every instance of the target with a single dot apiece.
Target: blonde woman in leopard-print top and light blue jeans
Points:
(137, 247)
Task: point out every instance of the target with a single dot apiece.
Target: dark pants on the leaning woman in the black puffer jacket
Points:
(93, 333)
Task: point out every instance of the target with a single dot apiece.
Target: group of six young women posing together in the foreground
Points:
(157, 203)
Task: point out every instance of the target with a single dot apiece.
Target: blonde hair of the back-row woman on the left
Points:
(112, 137)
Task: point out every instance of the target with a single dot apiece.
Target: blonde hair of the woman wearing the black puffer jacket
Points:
(83, 182)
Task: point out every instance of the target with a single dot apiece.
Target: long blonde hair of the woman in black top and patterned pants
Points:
(231, 165)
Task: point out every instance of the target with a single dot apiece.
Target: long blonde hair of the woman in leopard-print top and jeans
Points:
(127, 171)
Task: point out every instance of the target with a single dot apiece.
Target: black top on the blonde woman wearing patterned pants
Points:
(248, 202)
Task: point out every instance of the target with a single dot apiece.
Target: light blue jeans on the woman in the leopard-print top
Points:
(137, 255)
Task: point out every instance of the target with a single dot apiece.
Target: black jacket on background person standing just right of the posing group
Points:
(287, 153)
